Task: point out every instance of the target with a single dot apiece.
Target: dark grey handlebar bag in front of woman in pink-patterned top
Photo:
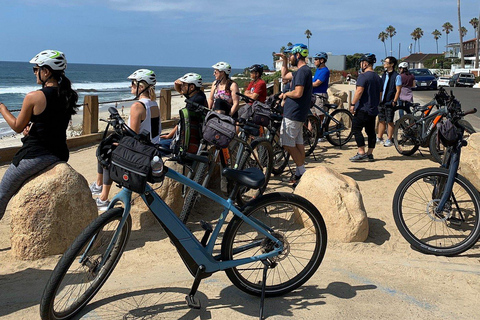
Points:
(218, 129)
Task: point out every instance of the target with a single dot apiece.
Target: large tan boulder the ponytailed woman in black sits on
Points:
(49, 211)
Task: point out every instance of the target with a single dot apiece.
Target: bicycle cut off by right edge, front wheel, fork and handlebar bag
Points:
(436, 209)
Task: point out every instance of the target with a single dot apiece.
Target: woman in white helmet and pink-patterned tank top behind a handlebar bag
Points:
(223, 96)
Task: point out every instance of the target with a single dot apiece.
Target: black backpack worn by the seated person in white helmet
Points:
(189, 132)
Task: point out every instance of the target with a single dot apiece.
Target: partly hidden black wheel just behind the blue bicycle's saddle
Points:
(264, 152)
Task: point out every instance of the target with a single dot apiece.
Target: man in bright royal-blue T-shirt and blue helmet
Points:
(320, 83)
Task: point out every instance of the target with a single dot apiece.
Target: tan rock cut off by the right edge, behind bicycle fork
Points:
(470, 161)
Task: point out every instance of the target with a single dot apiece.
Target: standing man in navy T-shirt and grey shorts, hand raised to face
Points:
(296, 107)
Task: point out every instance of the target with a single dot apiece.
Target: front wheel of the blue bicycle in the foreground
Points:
(66, 283)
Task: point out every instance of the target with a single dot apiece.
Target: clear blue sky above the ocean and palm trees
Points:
(199, 33)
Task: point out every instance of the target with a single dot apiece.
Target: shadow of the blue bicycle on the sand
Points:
(169, 303)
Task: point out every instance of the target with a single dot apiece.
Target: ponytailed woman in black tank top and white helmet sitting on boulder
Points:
(44, 119)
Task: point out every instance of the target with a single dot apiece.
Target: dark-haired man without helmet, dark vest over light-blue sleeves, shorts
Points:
(392, 85)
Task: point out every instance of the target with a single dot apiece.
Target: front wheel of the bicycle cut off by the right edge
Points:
(449, 233)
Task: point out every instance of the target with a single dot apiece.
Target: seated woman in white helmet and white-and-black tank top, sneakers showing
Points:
(144, 118)
